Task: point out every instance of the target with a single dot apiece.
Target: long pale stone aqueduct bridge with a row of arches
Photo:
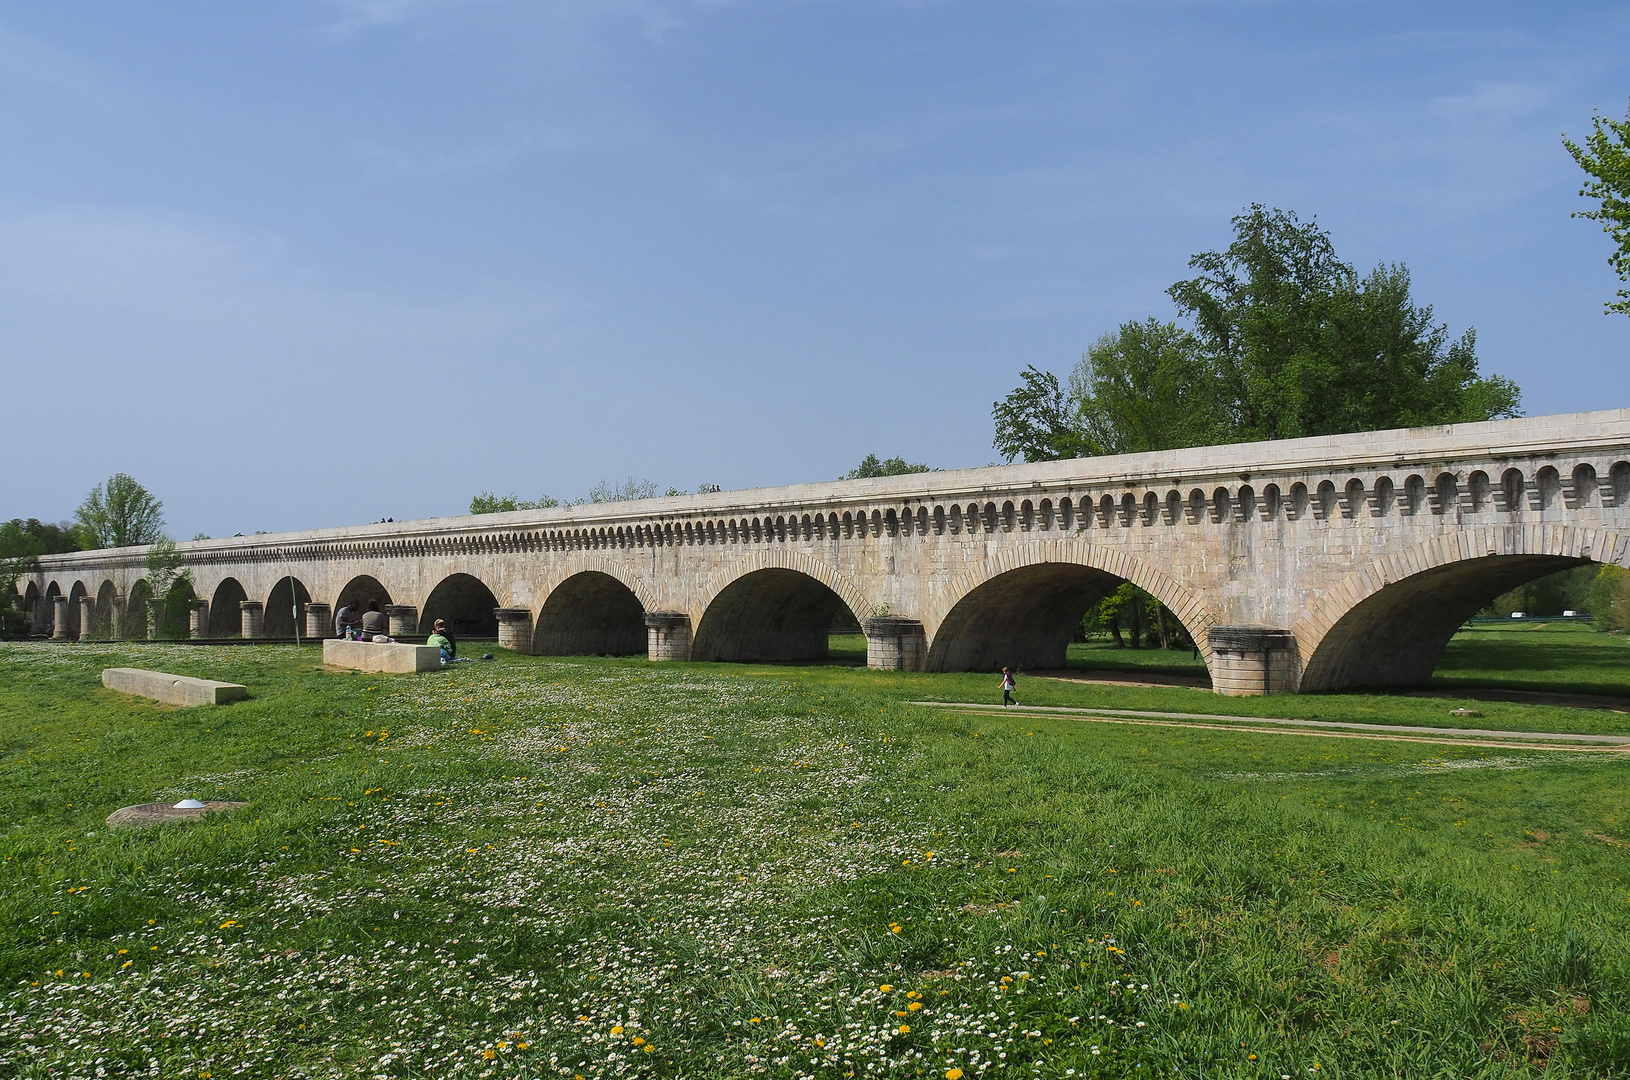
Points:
(1298, 564)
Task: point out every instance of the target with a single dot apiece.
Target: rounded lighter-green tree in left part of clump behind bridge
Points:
(1147, 387)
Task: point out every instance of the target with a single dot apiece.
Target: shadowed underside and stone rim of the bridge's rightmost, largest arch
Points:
(1390, 623)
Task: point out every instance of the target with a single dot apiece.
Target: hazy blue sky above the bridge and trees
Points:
(322, 263)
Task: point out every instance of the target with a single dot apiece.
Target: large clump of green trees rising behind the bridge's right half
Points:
(1285, 340)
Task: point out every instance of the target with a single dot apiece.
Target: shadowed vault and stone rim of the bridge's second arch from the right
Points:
(1023, 607)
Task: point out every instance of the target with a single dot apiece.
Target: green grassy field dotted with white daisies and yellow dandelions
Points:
(602, 867)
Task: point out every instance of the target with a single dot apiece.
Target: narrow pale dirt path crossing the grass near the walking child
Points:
(1324, 729)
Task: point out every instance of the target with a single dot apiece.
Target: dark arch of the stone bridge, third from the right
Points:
(775, 615)
